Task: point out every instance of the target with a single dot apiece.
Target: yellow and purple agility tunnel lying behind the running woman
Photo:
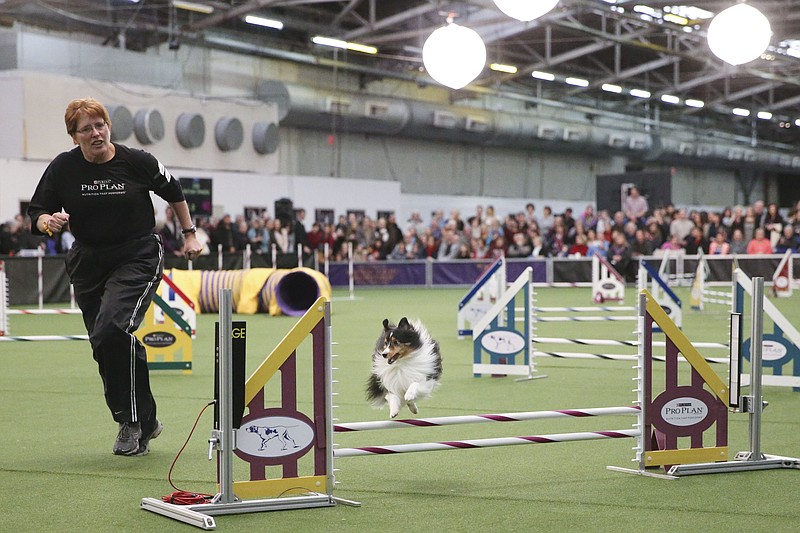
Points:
(257, 290)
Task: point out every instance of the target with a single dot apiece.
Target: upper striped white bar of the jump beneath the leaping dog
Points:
(477, 419)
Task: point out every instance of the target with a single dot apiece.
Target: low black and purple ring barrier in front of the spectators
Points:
(24, 273)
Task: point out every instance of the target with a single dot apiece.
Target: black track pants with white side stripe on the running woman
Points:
(114, 286)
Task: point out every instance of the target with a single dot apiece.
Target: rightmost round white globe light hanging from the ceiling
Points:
(739, 34)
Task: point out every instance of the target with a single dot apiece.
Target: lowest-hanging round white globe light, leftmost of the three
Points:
(454, 55)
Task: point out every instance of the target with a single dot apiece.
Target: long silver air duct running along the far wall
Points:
(374, 114)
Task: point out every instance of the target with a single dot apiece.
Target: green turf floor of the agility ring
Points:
(57, 472)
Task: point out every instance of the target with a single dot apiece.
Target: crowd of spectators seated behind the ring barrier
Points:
(635, 230)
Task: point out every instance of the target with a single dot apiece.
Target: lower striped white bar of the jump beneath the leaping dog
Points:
(485, 443)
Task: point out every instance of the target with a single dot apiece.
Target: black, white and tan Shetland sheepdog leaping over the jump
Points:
(406, 366)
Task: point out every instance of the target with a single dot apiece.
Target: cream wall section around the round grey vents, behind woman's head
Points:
(42, 99)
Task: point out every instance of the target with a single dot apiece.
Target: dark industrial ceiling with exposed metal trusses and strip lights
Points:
(625, 44)
